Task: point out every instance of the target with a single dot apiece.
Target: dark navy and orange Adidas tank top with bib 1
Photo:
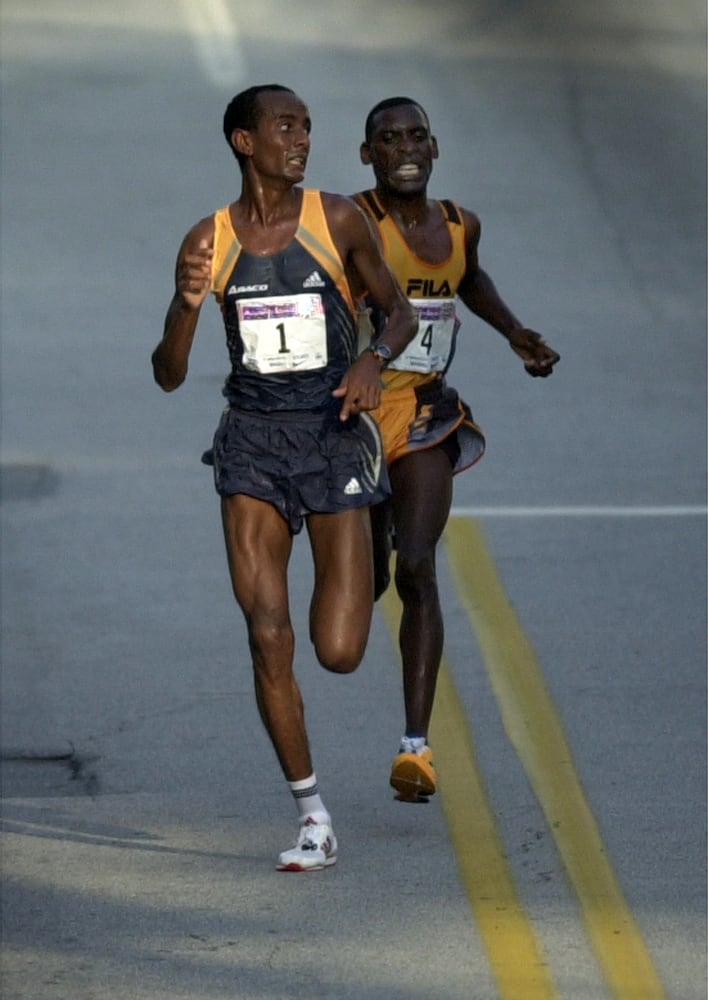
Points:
(289, 318)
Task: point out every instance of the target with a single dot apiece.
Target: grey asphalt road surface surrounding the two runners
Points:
(142, 805)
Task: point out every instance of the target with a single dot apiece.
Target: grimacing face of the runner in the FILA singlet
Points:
(401, 150)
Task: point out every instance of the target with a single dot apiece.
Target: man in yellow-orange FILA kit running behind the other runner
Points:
(428, 431)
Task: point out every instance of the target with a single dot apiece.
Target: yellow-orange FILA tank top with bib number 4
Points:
(431, 290)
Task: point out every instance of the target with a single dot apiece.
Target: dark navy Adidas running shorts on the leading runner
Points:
(301, 463)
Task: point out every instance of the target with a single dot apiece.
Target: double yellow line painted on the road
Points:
(536, 732)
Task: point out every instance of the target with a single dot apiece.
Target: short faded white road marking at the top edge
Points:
(216, 37)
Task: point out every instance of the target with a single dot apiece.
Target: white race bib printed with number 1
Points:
(283, 333)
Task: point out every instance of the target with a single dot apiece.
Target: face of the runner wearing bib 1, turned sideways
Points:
(281, 140)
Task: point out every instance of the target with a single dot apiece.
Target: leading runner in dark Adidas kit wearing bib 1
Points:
(295, 444)
